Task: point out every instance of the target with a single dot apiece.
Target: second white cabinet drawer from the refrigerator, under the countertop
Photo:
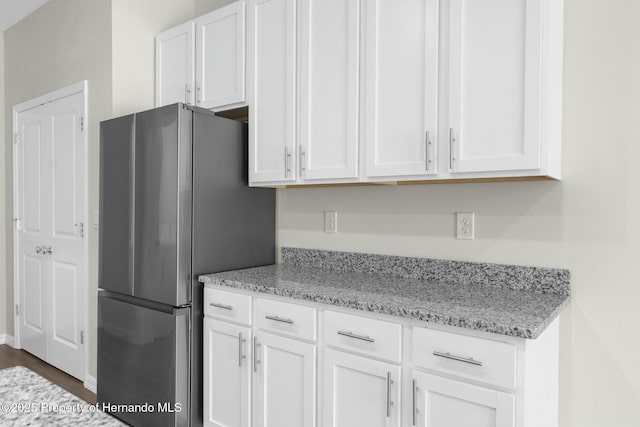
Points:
(286, 318)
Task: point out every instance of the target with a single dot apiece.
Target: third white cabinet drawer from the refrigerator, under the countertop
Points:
(376, 338)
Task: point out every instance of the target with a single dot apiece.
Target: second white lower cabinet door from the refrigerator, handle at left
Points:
(284, 382)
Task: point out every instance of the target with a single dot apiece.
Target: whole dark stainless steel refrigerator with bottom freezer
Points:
(174, 204)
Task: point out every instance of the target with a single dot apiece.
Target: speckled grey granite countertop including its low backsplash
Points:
(514, 307)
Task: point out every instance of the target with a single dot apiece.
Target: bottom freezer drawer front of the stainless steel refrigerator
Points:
(143, 361)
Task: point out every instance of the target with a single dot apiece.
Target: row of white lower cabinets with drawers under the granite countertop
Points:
(271, 362)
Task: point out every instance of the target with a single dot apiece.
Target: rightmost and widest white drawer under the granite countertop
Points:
(491, 362)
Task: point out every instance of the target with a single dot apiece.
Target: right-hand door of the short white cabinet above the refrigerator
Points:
(220, 57)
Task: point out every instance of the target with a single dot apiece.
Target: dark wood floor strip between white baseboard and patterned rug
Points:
(10, 357)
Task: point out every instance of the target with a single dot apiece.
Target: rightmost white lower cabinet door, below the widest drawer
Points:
(442, 402)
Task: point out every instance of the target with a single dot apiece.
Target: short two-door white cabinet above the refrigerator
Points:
(202, 62)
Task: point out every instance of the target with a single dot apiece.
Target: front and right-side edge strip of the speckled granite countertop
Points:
(513, 329)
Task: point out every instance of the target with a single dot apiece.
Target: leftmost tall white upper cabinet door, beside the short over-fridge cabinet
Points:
(271, 90)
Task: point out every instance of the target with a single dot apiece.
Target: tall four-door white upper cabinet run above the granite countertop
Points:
(344, 91)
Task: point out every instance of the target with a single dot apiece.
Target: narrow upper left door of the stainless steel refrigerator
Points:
(116, 204)
